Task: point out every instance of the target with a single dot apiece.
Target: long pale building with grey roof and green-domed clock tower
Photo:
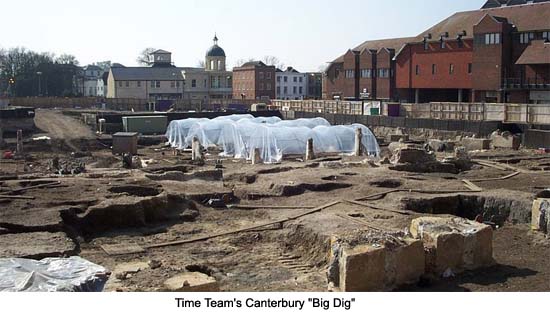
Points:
(167, 82)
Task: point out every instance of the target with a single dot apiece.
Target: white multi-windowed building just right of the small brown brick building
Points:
(290, 84)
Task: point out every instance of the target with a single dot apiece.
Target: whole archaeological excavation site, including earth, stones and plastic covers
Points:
(273, 201)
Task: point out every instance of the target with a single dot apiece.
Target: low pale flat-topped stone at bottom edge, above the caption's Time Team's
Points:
(191, 282)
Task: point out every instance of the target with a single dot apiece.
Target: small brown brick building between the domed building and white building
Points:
(254, 80)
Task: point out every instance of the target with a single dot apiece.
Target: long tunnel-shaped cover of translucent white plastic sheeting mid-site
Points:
(272, 136)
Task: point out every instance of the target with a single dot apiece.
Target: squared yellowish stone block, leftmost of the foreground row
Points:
(362, 269)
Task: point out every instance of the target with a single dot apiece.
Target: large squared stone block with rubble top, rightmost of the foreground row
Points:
(454, 243)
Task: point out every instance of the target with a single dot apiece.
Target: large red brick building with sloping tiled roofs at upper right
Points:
(499, 54)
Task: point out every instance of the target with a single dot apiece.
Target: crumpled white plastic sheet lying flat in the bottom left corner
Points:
(72, 274)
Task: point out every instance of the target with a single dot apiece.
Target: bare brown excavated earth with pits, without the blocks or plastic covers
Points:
(109, 205)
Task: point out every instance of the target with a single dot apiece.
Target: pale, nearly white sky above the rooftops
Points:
(301, 33)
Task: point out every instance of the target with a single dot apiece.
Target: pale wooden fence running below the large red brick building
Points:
(516, 113)
